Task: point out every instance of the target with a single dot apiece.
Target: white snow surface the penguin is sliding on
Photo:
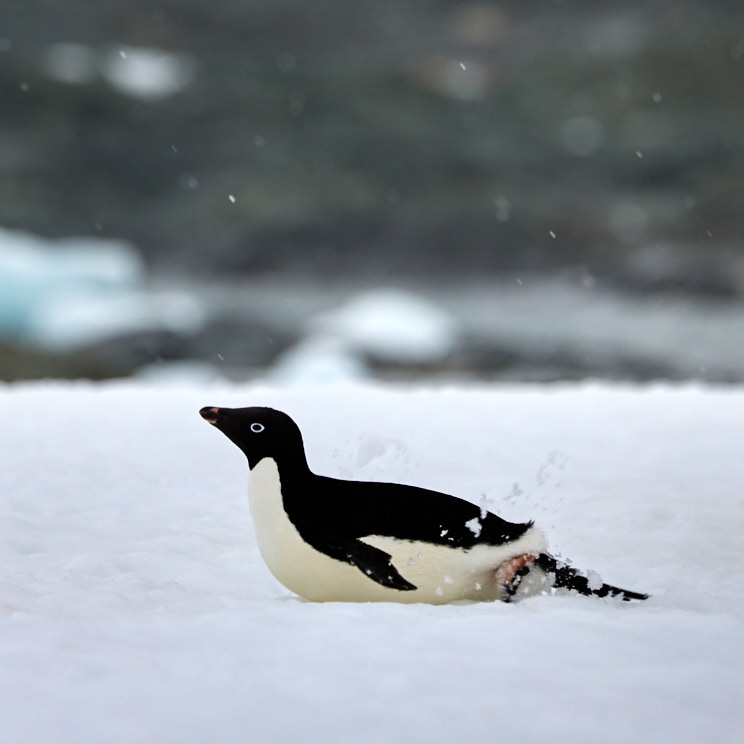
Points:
(135, 608)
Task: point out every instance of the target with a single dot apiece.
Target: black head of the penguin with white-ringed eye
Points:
(260, 433)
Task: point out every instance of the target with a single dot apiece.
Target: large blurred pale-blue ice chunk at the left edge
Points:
(68, 293)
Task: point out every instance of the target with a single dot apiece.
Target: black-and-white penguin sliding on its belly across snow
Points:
(332, 540)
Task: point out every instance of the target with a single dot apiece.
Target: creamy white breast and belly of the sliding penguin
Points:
(441, 574)
